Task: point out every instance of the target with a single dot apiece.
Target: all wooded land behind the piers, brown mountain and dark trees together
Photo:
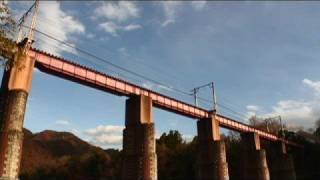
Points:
(54, 155)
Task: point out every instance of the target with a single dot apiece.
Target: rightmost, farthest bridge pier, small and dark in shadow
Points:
(282, 166)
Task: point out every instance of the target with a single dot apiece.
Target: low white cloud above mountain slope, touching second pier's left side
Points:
(105, 135)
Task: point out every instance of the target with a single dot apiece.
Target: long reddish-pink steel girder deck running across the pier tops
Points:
(60, 67)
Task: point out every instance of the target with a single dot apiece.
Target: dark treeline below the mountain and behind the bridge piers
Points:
(177, 160)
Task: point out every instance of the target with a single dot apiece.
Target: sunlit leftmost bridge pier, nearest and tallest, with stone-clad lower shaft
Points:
(15, 87)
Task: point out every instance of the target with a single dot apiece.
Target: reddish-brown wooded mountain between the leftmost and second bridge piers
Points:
(62, 155)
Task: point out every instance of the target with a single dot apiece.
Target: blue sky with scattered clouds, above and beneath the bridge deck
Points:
(262, 56)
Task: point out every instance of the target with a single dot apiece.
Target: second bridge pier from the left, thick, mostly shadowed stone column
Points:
(140, 159)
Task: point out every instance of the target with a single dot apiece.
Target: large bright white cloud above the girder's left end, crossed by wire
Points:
(55, 22)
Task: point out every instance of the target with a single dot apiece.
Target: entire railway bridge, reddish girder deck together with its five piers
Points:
(140, 158)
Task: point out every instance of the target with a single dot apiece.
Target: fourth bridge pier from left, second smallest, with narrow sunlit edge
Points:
(254, 161)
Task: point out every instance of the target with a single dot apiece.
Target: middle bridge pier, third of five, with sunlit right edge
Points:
(212, 161)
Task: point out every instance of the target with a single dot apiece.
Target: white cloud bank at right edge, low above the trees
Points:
(298, 113)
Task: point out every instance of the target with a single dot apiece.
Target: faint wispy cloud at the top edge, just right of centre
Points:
(170, 8)
